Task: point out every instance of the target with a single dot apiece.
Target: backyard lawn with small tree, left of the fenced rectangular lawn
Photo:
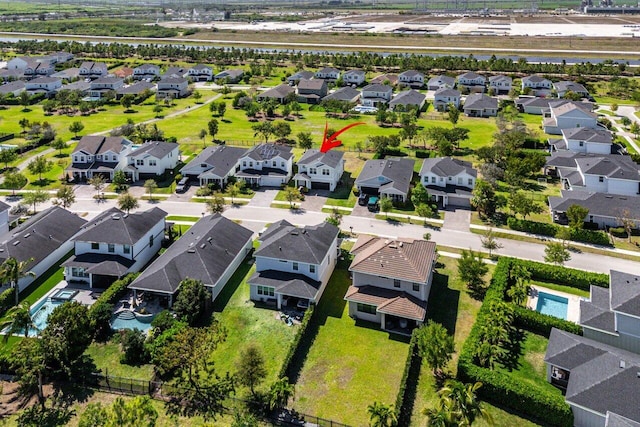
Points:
(247, 324)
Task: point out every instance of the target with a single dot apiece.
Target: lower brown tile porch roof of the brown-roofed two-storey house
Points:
(388, 301)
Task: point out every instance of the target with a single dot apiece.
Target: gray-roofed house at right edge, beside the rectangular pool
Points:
(612, 316)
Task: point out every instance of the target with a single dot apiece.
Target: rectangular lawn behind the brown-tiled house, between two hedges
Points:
(349, 365)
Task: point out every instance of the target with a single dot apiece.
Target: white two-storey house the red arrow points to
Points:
(317, 170)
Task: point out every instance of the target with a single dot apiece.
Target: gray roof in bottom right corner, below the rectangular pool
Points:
(602, 378)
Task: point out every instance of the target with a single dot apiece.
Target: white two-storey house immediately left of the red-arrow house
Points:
(266, 165)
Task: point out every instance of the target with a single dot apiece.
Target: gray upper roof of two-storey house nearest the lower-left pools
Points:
(115, 226)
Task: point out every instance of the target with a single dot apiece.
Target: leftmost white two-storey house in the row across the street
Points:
(101, 155)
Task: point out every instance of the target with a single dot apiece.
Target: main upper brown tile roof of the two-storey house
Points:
(406, 259)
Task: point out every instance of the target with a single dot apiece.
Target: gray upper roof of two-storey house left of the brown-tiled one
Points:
(309, 244)
